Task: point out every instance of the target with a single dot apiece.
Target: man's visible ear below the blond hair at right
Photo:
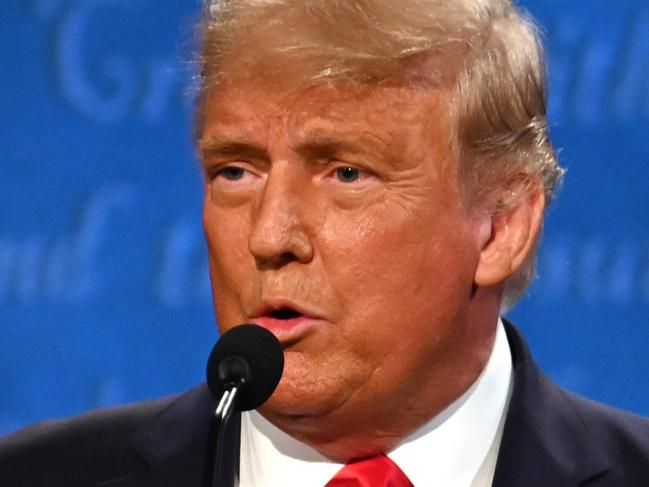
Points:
(507, 238)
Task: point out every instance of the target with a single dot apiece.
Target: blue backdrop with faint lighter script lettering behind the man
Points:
(104, 295)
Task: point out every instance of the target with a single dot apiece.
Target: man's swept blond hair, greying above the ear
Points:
(496, 64)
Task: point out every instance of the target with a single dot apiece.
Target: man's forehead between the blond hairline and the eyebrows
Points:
(396, 115)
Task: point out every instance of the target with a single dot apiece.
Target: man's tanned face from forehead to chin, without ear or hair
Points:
(333, 219)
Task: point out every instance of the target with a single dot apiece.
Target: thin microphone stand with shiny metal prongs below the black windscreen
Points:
(225, 459)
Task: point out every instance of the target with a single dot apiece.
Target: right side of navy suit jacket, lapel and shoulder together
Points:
(563, 436)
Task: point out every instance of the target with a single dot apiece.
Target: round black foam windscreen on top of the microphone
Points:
(249, 355)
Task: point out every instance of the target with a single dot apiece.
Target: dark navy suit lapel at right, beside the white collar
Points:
(545, 442)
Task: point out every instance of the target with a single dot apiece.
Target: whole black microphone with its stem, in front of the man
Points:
(243, 370)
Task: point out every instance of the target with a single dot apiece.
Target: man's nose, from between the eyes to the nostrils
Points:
(279, 234)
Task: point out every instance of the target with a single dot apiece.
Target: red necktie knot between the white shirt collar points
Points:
(377, 471)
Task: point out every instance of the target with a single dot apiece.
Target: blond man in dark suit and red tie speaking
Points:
(375, 179)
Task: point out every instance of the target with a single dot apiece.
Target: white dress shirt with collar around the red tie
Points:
(457, 448)
